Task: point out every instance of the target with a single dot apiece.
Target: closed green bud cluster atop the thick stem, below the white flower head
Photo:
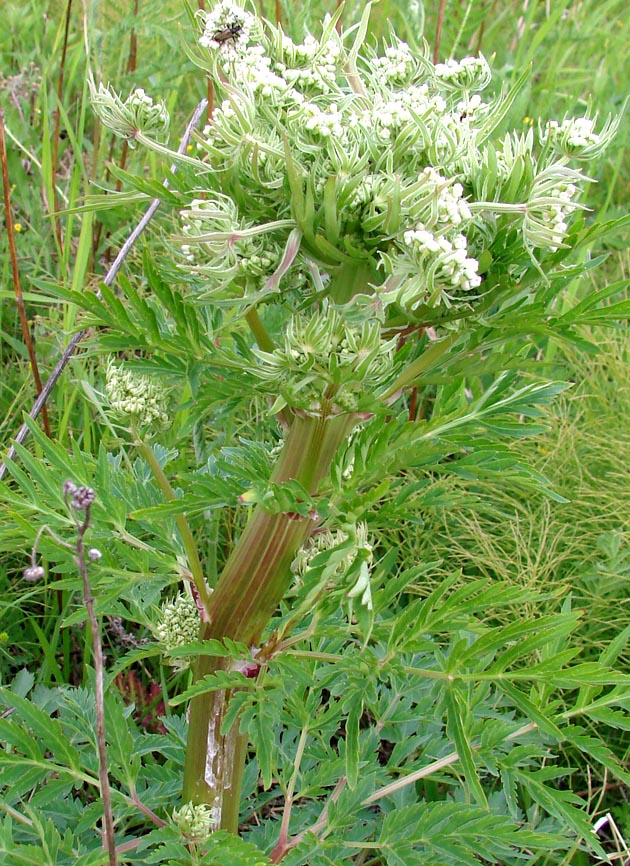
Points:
(326, 364)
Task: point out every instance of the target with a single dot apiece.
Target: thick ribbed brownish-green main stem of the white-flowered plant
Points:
(255, 578)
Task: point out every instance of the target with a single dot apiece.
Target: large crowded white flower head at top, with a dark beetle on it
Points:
(323, 155)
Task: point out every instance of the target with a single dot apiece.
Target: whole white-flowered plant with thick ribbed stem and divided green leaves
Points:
(361, 250)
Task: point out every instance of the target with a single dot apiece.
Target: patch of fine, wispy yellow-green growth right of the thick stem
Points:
(578, 549)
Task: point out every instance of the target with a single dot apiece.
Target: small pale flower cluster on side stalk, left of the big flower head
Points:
(137, 114)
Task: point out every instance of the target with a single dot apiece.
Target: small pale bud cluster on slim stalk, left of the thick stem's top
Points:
(136, 396)
